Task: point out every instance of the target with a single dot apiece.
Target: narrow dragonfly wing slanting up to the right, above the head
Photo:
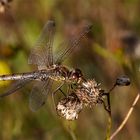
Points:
(72, 44)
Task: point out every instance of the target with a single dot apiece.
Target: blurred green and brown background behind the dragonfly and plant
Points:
(112, 49)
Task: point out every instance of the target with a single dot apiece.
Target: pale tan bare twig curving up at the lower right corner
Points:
(126, 118)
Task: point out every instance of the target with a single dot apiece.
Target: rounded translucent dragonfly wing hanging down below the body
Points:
(39, 94)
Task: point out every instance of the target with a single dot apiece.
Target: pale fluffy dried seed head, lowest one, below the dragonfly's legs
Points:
(69, 107)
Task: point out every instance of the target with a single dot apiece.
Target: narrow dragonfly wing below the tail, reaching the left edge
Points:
(15, 86)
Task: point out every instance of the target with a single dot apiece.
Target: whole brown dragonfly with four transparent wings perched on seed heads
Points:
(49, 67)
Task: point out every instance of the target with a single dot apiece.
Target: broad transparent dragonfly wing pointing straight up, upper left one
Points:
(41, 54)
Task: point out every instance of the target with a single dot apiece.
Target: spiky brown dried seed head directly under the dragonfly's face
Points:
(89, 93)
